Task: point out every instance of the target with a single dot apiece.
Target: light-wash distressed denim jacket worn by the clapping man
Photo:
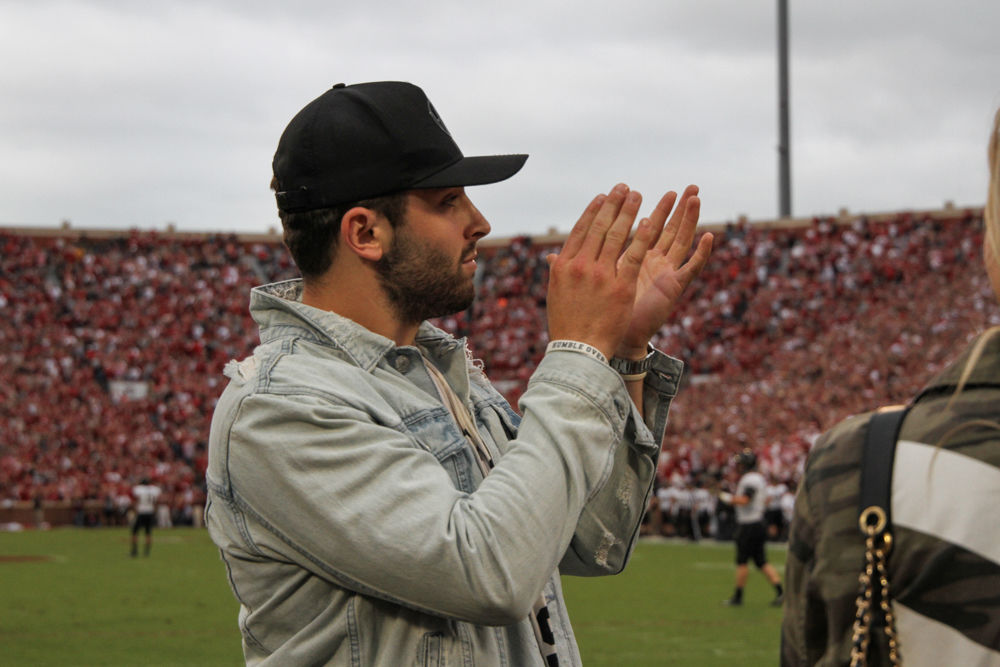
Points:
(354, 523)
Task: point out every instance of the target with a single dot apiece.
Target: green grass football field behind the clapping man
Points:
(74, 597)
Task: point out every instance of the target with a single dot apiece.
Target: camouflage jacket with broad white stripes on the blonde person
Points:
(944, 567)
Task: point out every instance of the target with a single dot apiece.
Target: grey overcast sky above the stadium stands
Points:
(138, 114)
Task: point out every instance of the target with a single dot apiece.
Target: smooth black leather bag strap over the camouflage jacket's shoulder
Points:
(876, 465)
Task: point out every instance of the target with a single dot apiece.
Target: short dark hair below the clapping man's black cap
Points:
(311, 236)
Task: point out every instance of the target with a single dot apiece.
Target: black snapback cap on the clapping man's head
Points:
(372, 139)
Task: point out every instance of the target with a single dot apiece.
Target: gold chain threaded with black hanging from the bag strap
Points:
(877, 547)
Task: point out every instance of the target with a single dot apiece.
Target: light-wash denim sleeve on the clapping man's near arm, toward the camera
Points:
(412, 538)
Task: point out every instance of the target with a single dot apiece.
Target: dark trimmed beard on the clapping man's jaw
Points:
(418, 281)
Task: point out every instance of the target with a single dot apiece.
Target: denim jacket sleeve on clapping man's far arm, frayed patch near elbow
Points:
(609, 523)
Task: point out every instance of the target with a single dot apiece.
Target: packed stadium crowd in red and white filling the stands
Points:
(112, 348)
